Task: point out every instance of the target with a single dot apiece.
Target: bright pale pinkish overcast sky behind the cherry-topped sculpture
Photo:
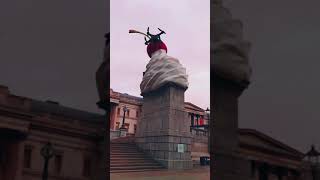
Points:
(186, 23)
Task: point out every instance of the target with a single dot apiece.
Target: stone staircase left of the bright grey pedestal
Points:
(125, 157)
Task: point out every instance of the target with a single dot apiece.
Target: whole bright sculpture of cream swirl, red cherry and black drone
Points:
(161, 69)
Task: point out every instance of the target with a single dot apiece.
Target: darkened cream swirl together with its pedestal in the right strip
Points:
(231, 74)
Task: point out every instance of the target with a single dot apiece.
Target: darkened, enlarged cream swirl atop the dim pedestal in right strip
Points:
(230, 50)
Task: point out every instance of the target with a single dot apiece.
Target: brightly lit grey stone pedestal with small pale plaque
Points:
(163, 130)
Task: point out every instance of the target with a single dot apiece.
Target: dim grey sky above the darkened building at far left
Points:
(51, 49)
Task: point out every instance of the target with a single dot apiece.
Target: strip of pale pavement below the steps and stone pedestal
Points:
(199, 173)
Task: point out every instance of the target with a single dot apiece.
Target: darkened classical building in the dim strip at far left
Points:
(26, 125)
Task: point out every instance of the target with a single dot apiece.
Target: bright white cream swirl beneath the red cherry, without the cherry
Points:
(163, 69)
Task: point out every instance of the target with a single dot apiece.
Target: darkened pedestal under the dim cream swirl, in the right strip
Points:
(226, 165)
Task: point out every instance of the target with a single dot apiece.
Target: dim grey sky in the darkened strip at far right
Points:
(283, 99)
